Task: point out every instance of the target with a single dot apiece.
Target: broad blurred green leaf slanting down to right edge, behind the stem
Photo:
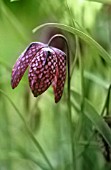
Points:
(93, 116)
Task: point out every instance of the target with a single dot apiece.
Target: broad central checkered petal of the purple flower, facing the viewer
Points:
(42, 70)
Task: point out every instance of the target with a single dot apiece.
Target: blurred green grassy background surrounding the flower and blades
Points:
(49, 121)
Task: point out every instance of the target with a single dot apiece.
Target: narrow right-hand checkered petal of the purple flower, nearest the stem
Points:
(60, 76)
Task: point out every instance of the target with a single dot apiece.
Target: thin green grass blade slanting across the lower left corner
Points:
(29, 131)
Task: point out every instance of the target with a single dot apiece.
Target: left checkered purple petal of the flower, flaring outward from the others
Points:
(23, 62)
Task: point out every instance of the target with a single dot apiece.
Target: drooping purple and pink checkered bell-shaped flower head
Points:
(47, 65)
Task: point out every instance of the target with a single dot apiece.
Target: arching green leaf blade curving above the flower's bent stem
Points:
(81, 35)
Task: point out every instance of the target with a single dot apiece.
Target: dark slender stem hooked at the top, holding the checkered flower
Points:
(69, 96)
